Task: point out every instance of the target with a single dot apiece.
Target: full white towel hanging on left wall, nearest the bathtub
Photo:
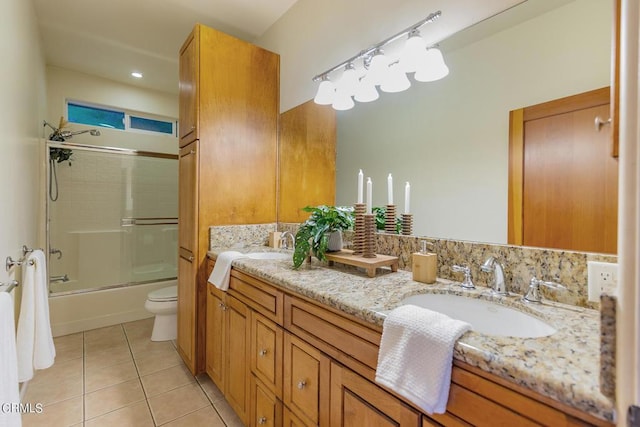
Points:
(35, 340)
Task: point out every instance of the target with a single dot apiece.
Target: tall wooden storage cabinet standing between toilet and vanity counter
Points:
(228, 127)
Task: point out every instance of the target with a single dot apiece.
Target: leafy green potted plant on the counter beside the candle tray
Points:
(313, 234)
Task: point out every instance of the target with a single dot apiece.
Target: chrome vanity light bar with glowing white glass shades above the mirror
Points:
(371, 67)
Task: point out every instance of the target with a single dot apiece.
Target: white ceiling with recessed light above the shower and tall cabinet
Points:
(112, 38)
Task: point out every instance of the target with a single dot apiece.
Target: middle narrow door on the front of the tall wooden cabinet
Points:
(188, 198)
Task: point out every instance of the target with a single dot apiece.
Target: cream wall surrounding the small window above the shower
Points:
(63, 84)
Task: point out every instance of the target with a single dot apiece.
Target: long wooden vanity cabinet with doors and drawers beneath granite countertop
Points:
(313, 365)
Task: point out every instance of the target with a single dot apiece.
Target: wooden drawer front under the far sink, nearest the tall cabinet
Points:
(263, 298)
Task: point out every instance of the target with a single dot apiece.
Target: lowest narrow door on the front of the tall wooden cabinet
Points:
(186, 342)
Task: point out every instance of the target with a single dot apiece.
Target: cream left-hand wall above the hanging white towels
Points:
(22, 108)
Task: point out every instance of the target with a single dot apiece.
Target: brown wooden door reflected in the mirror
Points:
(569, 181)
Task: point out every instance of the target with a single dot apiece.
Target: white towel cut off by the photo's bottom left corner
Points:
(9, 388)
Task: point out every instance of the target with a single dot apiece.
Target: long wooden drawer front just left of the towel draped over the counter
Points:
(320, 327)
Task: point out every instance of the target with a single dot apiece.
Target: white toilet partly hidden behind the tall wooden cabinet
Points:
(164, 304)
